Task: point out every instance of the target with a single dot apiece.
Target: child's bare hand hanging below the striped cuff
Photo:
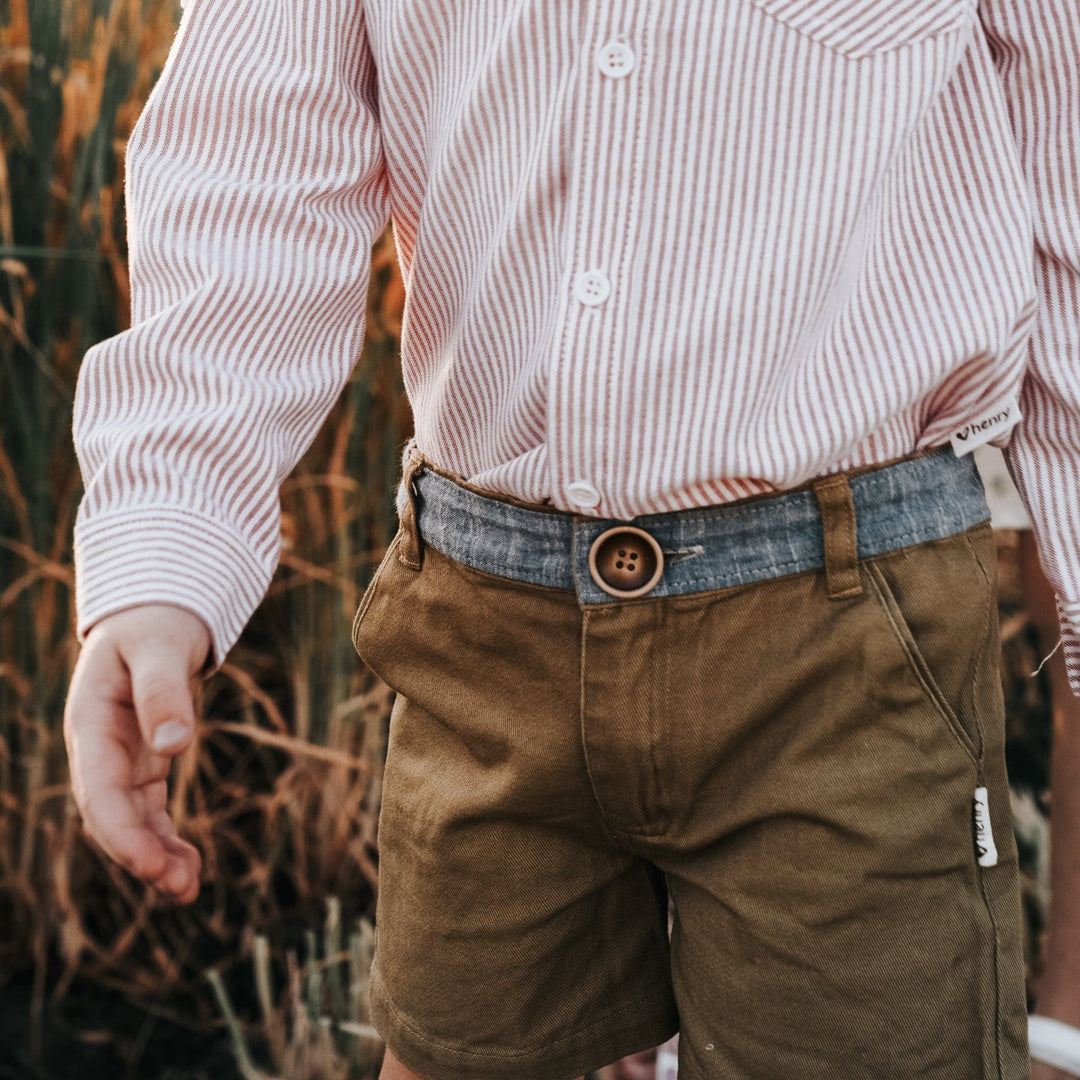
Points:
(133, 684)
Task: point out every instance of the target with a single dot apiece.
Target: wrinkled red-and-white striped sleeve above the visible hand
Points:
(255, 190)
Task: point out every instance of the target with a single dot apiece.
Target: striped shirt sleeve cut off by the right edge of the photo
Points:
(1036, 45)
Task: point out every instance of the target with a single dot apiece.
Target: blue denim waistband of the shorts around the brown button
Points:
(909, 502)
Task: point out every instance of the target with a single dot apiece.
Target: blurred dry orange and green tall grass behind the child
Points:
(265, 975)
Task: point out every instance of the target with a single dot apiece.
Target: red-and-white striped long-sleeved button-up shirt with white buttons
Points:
(656, 256)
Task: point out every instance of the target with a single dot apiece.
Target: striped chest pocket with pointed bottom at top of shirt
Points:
(861, 29)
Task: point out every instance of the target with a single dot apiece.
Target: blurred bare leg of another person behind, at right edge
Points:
(1059, 988)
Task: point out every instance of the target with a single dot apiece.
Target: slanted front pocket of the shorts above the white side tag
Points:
(940, 603)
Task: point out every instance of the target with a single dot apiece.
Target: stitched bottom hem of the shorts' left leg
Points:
(636, 1027)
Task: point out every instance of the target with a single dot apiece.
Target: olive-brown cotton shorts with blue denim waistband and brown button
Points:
(792, 759)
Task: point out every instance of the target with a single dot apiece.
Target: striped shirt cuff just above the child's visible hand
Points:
(168, 556)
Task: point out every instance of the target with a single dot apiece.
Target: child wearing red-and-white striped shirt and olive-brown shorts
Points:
(693, 592)
